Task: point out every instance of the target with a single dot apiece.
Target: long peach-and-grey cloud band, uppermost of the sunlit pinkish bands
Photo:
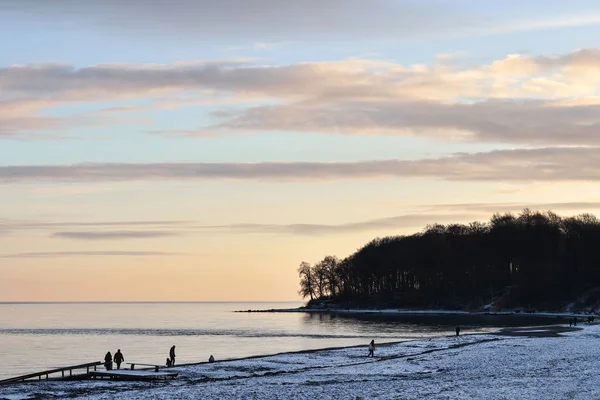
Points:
(350, 78)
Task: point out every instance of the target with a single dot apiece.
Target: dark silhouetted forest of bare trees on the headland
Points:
(534, 260)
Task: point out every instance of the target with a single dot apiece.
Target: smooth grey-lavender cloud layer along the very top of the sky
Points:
(308, 20)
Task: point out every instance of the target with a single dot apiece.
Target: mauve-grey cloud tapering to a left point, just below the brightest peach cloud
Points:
(491, 121)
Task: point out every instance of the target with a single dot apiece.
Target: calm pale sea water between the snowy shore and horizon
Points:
(35, 336)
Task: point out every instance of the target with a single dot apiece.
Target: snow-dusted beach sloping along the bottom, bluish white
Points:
(523, 363)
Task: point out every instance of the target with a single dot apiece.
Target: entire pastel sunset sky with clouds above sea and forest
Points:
(192, 150)
